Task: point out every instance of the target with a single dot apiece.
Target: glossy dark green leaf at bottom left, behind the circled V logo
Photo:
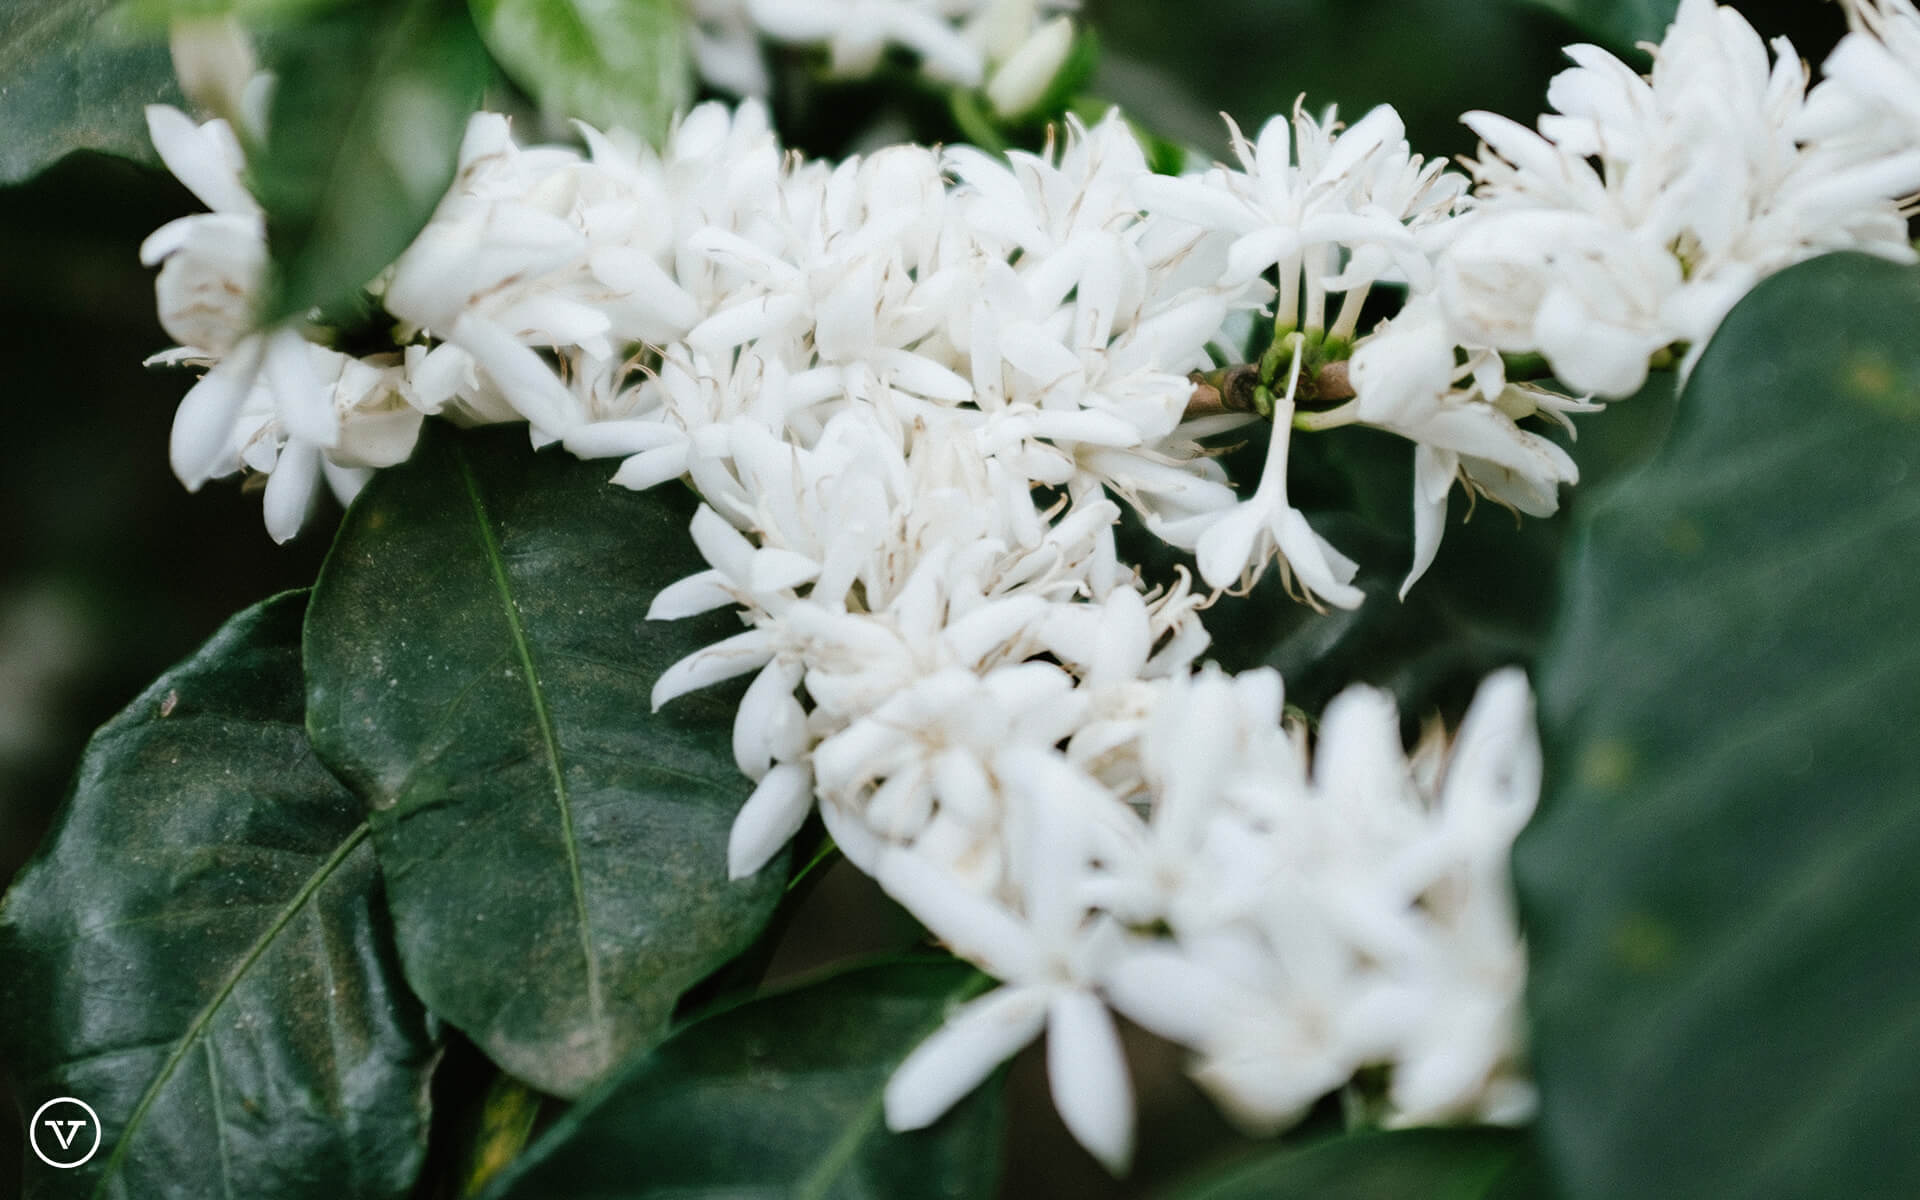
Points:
(203, 957)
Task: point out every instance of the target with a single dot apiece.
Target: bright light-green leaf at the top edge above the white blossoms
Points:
(608, 62)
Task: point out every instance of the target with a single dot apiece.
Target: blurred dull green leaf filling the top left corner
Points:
(68, 82)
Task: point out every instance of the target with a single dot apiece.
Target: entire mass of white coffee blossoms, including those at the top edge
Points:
(917, 391)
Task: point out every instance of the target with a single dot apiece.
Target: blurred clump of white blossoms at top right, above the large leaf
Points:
(1646, 208)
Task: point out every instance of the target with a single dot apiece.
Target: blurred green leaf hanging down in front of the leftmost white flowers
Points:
(364, 135)
